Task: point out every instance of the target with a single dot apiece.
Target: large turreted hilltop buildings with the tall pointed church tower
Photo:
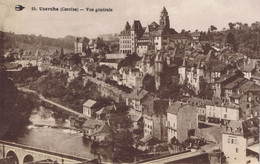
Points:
(154, 37)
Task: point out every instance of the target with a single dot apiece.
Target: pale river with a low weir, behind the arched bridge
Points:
(55, 134)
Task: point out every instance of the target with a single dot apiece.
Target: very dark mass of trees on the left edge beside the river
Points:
(15, 106)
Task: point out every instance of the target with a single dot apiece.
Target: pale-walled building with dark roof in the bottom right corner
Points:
(240, 141)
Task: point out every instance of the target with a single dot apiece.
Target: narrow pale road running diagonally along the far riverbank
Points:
(52, 102)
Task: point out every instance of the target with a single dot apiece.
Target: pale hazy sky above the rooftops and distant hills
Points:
(183, 14)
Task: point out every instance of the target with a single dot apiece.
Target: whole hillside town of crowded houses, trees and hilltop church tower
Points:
(150, 91)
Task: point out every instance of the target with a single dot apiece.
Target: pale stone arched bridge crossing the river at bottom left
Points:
(22, 154)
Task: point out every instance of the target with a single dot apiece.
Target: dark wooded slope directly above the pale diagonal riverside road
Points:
(73, 95)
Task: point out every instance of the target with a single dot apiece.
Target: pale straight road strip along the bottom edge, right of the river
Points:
(175, 157)
